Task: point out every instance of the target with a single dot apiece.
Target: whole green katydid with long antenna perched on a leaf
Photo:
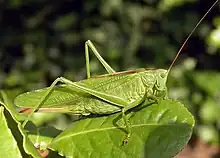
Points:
(104, 94)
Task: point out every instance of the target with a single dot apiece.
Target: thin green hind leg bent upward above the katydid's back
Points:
(89, 44)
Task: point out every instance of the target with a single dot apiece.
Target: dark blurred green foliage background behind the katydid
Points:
(42, 40)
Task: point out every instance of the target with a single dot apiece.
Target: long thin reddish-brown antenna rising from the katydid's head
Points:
(181, 48)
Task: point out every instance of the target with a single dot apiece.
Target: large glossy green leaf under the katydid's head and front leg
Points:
(160, 130)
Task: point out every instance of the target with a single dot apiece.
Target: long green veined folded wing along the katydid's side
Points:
(65, 99)
